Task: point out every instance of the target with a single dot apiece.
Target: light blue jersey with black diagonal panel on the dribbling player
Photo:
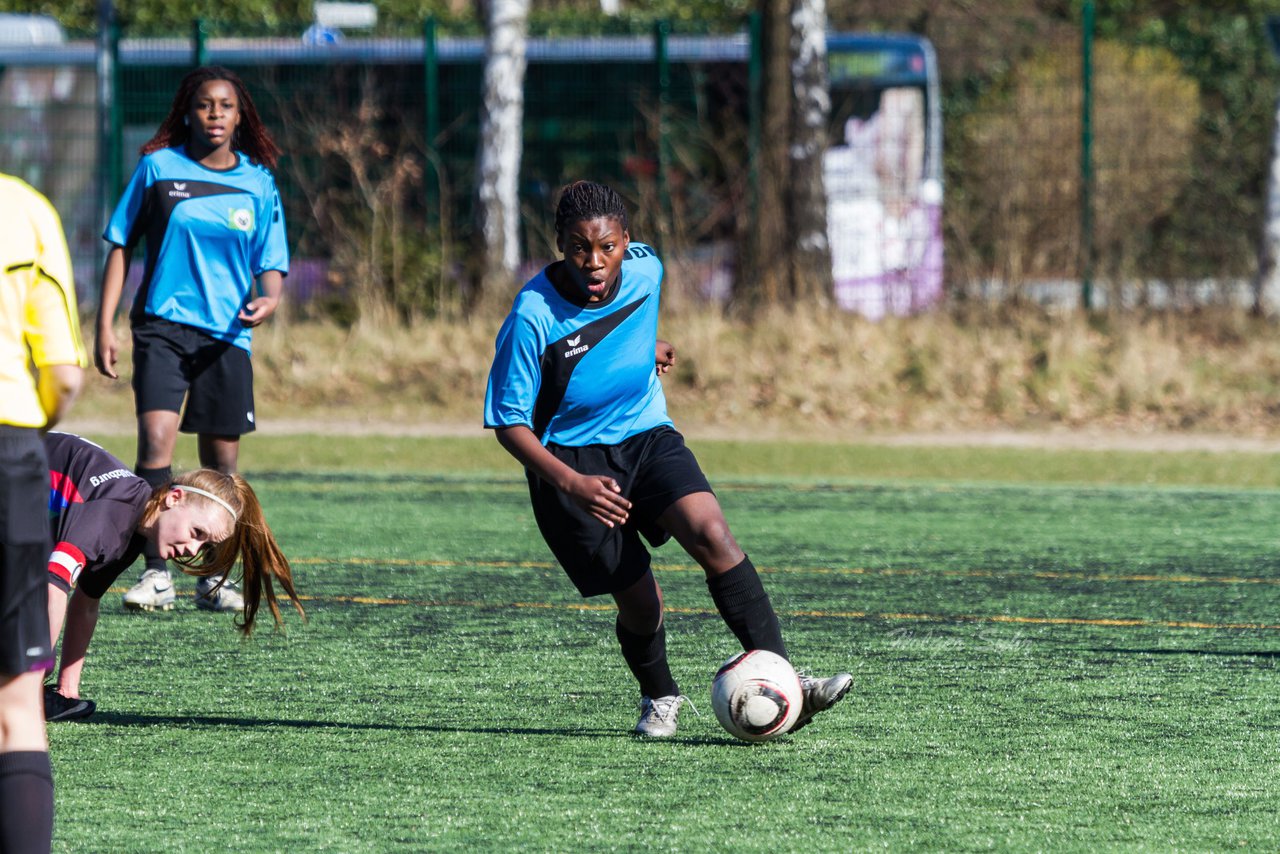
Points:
(582, 373)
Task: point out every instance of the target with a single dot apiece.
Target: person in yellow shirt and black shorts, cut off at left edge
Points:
(42, 363)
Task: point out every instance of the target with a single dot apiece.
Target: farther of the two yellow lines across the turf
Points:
(819, 570)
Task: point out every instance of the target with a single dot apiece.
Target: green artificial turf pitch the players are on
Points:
(1039, 666)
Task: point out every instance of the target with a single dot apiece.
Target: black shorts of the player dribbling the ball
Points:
(655, 469)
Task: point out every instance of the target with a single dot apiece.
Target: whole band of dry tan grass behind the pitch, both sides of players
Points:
(812, 373)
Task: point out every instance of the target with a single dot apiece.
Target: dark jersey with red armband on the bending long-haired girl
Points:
(95, 505)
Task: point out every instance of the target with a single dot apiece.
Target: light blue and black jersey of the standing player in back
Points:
(211, 234)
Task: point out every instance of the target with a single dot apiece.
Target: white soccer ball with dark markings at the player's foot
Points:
(757, 696)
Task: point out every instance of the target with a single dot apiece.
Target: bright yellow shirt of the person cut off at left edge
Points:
(39, 323)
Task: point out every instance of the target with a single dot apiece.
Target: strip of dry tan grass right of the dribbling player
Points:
(940, 372)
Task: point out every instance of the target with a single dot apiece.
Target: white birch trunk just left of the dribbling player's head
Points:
(501, 145)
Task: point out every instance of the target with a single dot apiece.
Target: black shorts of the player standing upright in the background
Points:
(173, 362)
